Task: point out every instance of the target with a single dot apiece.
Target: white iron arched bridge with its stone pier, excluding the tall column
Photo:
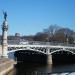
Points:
(47, 49)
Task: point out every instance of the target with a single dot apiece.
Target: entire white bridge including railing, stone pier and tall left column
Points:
(47, 48)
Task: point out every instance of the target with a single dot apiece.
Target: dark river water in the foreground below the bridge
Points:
(35, 69)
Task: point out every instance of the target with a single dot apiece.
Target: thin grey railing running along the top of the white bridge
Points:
(45, 43)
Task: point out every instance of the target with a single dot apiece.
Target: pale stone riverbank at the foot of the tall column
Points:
(6, 65)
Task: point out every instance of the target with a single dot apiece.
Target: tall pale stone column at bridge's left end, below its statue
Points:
(4, 39)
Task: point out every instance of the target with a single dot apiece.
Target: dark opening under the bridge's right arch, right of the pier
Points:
(63, 56)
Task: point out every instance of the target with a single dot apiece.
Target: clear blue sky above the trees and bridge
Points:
(28, 17)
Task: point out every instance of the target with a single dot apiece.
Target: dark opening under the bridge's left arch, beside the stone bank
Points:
(29, 56)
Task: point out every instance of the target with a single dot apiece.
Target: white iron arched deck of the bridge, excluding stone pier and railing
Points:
(42, 48)
